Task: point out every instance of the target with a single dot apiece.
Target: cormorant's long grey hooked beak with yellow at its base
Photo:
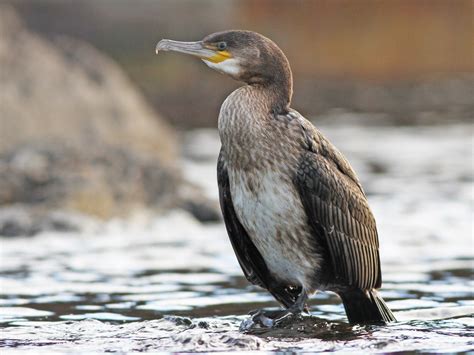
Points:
(197, 49)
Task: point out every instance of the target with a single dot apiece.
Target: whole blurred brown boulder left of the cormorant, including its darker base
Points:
(74, 132)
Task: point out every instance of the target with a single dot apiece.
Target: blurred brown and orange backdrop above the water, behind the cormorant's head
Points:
(410, 61)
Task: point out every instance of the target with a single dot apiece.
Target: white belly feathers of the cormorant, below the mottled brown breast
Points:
(272, 214)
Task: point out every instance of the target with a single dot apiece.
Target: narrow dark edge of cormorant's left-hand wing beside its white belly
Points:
(250, 259)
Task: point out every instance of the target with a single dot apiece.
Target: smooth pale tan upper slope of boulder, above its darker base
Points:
(69, 92)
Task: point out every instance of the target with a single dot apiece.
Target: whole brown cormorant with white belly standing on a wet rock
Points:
(295, 211)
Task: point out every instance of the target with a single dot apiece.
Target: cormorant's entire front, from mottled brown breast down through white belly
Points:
(262, 154)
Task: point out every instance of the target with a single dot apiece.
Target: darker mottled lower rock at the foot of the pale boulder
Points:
(98, 183)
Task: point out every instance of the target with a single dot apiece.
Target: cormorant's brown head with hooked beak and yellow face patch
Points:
(243, 55)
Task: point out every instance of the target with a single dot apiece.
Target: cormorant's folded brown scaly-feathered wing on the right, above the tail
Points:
(339, 214)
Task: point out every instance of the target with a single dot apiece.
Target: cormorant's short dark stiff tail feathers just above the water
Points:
(366, 307)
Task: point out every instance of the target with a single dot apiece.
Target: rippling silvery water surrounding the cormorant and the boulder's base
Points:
(172, 284)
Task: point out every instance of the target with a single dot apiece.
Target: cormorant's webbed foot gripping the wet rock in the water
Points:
(269, 319)
